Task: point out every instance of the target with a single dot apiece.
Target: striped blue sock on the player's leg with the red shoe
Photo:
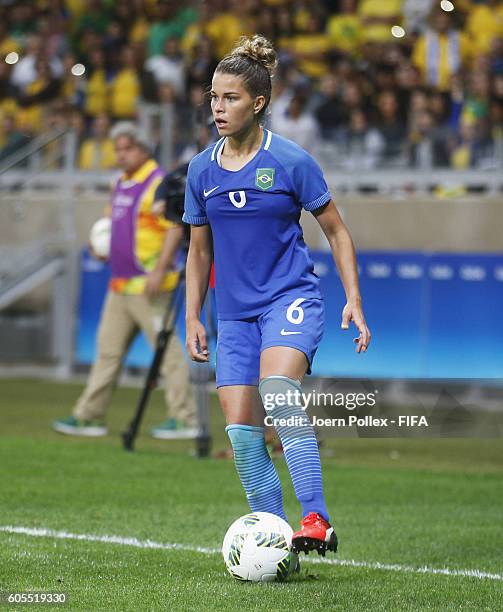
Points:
(298, 440)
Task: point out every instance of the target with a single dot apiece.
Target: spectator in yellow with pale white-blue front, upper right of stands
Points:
(441, 51)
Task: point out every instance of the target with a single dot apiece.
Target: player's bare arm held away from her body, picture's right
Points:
(343, 251)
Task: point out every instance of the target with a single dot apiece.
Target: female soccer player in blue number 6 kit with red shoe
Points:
(243, 200)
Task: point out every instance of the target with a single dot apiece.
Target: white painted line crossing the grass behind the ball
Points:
(150, 544)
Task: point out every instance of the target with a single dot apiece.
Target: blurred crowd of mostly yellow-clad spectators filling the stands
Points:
(380, 82)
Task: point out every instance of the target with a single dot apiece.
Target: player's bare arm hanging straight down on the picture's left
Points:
(198, 275)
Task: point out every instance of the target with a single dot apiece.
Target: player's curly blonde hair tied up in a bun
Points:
(254, 59)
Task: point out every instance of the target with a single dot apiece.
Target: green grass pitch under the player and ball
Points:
(410, 504)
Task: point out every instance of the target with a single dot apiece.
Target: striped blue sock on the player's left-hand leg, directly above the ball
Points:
(256, 469)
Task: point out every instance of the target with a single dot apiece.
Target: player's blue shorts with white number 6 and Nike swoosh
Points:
(289, 321)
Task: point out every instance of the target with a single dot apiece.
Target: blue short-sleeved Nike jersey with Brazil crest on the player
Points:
(259, 250)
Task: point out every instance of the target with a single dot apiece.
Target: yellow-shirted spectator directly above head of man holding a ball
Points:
(125, 86)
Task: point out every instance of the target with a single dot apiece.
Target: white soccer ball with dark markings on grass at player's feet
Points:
(256, 548)
